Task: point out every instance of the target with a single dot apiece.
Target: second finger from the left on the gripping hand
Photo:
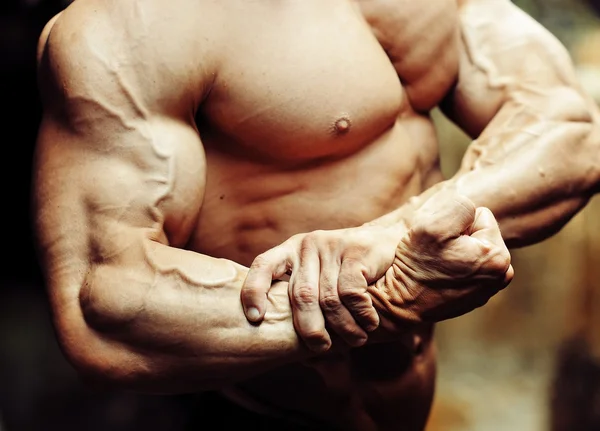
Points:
(304, 296)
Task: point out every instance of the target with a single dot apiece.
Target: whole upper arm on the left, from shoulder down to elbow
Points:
(116, 135)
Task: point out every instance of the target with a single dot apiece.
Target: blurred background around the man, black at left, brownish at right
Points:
(527, 361)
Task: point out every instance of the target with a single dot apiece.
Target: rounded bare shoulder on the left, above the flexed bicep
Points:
(149, 50)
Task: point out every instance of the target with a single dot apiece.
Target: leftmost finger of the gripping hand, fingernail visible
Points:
(272, 264)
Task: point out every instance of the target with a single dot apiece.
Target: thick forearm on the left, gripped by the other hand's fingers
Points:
(179, 314)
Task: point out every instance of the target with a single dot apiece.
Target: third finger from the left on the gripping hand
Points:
(337, 316)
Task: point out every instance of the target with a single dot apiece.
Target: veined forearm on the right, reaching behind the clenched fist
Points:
(533, 169)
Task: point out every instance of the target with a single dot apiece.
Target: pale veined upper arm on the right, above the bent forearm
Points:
(506, 57)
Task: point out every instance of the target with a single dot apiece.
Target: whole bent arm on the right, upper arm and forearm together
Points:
(536, 155)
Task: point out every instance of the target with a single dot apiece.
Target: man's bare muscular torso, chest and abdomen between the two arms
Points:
(318, 119)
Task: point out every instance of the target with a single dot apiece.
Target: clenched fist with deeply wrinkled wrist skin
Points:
(451, 260)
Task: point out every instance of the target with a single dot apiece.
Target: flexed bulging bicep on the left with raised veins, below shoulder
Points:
(95, 193)
